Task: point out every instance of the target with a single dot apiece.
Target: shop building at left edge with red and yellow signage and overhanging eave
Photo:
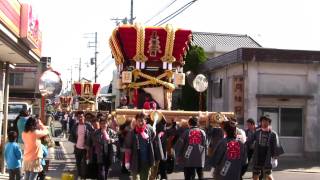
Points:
(20, 43)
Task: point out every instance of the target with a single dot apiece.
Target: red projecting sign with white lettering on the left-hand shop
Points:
(29, 31)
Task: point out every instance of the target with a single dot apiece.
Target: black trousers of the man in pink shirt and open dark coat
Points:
(81, 158)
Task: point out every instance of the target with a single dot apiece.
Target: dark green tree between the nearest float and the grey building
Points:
(190, 97)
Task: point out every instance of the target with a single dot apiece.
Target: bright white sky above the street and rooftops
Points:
(68, 24)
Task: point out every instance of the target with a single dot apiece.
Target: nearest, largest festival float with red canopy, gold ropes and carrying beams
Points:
(149, 64)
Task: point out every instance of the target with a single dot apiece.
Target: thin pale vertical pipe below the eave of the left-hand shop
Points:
(5, 113)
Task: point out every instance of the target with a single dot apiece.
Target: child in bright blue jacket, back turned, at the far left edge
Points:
(13, 156)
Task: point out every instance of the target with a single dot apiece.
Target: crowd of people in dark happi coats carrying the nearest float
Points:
(150, 151)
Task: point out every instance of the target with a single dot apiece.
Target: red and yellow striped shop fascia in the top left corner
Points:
(10, 15)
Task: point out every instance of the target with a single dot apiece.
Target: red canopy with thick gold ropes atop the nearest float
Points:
(146, 44)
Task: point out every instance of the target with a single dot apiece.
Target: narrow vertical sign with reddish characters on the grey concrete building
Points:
(238, 97)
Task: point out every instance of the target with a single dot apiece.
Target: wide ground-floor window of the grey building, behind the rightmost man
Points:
(285, 121)
